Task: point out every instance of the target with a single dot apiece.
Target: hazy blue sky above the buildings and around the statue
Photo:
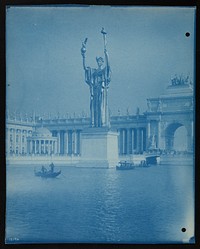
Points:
(147, 46)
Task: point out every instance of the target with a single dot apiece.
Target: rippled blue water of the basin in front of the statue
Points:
(145, 205)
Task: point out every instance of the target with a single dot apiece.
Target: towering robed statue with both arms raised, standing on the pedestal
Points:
(98, 81)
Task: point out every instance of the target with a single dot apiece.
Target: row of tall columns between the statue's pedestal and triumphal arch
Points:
(131, 140)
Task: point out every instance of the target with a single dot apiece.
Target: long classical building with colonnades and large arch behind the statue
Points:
(151, 130)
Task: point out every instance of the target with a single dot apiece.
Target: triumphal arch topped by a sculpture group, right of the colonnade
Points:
(170, 111)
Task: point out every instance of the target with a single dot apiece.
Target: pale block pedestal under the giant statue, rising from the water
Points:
(99, 148)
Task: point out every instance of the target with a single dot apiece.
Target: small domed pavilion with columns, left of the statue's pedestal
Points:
(42, 142)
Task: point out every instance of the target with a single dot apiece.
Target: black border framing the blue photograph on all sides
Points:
(2, 106)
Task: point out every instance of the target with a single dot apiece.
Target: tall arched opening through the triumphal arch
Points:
(176, 137)
